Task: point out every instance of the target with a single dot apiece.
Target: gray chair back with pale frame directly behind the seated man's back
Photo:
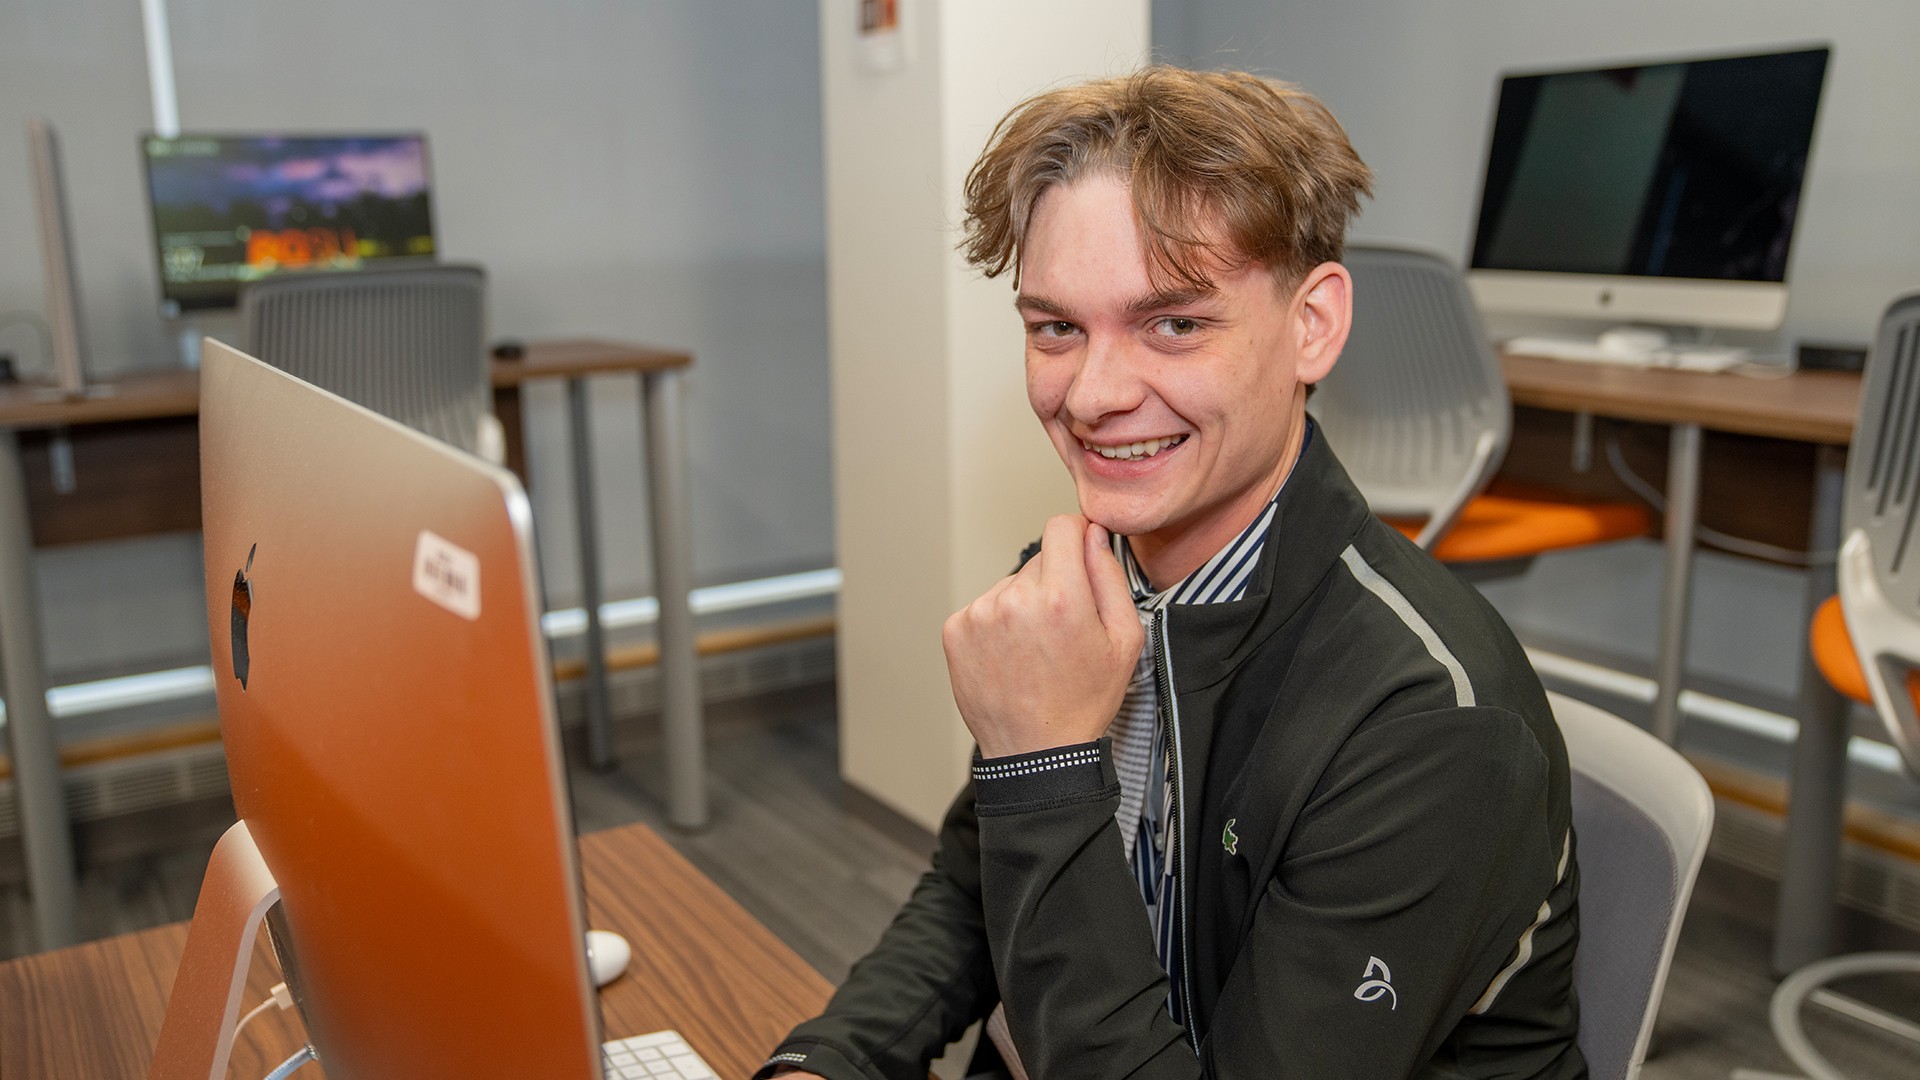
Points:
(1643, 818)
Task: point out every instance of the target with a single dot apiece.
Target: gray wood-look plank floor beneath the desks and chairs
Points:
(825, 871)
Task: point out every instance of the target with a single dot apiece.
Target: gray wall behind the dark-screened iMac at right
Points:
(1414, 84)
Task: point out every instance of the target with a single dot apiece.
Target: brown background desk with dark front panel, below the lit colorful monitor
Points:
(137, 453)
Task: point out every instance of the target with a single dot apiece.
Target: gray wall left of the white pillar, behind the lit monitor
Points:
(642, 170)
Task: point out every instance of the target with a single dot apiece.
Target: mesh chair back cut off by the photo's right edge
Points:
(1881, 558)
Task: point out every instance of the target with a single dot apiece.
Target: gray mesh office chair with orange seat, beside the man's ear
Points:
(1418, 410)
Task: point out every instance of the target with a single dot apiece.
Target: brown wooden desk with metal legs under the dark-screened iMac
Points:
(1808, 406)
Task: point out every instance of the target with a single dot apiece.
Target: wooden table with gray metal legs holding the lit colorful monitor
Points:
(162, 395)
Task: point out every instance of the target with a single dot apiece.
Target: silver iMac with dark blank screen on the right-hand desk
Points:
(1660, 193)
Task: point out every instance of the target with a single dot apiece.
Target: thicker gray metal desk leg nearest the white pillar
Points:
(673, 583)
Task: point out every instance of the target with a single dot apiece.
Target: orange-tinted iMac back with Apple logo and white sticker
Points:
(387, 712)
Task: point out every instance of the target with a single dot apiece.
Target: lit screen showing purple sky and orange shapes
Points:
(235, 209)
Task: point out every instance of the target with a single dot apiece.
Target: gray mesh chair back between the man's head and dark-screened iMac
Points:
(1418, 406)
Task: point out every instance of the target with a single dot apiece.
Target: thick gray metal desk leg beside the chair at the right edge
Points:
(1817, 787)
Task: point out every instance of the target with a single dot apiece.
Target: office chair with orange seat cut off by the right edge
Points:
(1867, 641)
